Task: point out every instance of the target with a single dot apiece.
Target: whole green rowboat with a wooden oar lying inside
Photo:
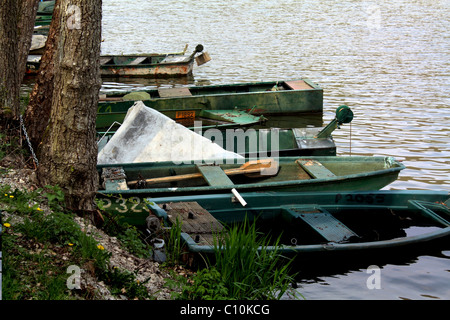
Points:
(157, 179)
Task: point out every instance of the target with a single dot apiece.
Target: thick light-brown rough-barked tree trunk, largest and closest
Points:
(69, 150)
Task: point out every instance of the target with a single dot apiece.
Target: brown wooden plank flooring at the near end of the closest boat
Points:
(196, 221)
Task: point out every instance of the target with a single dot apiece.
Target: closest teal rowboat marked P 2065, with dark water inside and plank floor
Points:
(322, 222)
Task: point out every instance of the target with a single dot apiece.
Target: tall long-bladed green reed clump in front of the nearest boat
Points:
(248, 268)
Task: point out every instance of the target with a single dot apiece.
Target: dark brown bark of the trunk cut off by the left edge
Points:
(9, 77)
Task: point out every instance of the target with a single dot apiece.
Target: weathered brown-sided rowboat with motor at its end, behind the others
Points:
(142, 65)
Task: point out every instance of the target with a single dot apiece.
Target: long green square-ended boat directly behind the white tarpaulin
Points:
(258, 98)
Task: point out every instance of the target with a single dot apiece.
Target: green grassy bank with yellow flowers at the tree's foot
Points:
(39, 247)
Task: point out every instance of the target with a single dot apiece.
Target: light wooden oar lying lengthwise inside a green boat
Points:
(252, 169)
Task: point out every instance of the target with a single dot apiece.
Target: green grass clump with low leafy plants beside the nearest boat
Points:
(243, 269)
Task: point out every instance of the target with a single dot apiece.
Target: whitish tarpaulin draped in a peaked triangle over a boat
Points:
(147, 135)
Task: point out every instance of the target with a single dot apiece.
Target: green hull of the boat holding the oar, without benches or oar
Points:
(351, 174)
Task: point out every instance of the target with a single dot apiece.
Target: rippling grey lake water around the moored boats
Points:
(387, 60)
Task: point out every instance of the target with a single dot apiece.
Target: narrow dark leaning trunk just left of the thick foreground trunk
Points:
(38, 110)
